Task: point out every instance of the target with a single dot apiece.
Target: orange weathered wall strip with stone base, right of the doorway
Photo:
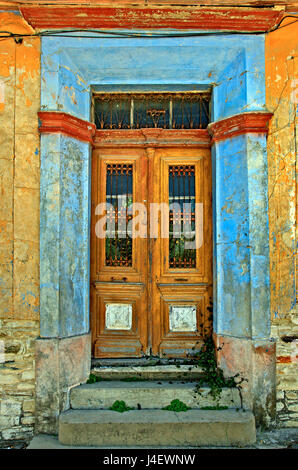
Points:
(282, 100)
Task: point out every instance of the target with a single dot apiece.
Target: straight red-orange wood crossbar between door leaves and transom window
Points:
(152, 138)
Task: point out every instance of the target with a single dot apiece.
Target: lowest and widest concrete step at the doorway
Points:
(156, 427)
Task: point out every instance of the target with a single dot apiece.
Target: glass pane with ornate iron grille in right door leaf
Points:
(182, 216)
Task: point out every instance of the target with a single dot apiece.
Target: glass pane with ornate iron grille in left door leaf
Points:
(119, 184)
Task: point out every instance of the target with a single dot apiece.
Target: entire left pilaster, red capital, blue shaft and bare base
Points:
(63, 351)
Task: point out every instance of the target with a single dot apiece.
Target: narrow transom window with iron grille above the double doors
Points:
(183, 110)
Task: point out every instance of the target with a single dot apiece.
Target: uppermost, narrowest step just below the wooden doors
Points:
(160, 372)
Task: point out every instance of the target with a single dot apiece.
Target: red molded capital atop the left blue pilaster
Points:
(53, 122)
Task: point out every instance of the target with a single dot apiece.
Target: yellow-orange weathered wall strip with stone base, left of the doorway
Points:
(19, 226)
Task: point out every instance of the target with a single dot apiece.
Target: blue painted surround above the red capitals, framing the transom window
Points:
(70, 66)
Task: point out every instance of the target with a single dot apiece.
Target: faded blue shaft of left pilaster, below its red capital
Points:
(64, 240)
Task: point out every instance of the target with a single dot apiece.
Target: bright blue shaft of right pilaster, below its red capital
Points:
(241, 243)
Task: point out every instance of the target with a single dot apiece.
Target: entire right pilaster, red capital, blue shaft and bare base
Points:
(241, 257)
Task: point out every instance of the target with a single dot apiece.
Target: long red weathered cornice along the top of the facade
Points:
(159, 17)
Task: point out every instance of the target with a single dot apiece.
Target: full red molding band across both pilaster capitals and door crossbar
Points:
(59, 122)
